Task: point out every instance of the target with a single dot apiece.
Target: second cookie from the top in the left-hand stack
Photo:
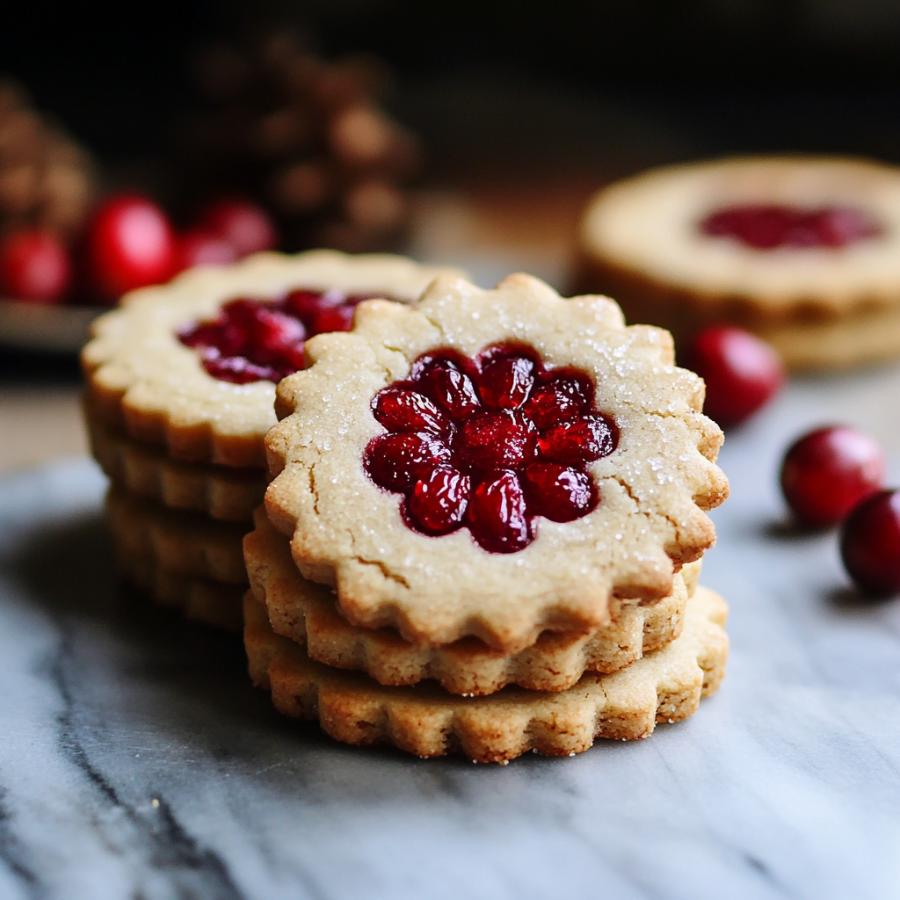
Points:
(221, 492)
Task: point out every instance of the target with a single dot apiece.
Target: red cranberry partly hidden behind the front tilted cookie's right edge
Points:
(742, 372)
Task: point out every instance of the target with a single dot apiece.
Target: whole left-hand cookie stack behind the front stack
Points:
(180, 394)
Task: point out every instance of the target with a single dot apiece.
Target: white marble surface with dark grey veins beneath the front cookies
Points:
(136, 761)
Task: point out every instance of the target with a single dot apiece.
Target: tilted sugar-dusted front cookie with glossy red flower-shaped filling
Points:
(492, 464)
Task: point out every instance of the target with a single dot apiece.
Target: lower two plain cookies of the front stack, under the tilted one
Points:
(650, 664)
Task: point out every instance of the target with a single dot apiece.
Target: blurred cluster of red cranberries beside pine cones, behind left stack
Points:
(129, 243)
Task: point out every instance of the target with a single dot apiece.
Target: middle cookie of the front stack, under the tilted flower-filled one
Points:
(306, 613)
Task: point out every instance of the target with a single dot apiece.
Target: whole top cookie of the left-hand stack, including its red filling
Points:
(149, 364)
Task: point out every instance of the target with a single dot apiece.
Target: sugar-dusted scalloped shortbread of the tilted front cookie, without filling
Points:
(348, 534)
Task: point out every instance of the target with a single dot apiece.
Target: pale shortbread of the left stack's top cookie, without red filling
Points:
(143, 381)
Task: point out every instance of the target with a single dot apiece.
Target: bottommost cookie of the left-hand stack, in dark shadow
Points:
(199, 600)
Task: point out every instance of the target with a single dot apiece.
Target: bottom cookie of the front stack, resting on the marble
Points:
(664, 687)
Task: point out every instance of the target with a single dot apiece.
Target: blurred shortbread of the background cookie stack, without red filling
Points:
(639, 240)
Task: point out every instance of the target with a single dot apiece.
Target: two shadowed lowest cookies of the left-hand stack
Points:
(180, 560)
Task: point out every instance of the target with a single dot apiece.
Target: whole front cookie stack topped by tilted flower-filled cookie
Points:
(484, 526)
